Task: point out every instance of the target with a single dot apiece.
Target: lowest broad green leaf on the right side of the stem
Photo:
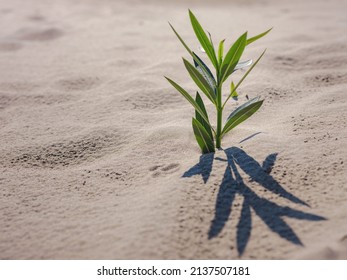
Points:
(241, 114)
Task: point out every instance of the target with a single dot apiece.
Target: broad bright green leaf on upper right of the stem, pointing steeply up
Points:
(233, 56)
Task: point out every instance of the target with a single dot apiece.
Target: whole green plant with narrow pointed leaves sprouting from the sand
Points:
(206, 135)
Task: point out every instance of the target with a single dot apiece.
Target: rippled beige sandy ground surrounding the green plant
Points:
(97, 156)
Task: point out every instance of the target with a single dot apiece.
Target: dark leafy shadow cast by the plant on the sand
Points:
(232, 184)
